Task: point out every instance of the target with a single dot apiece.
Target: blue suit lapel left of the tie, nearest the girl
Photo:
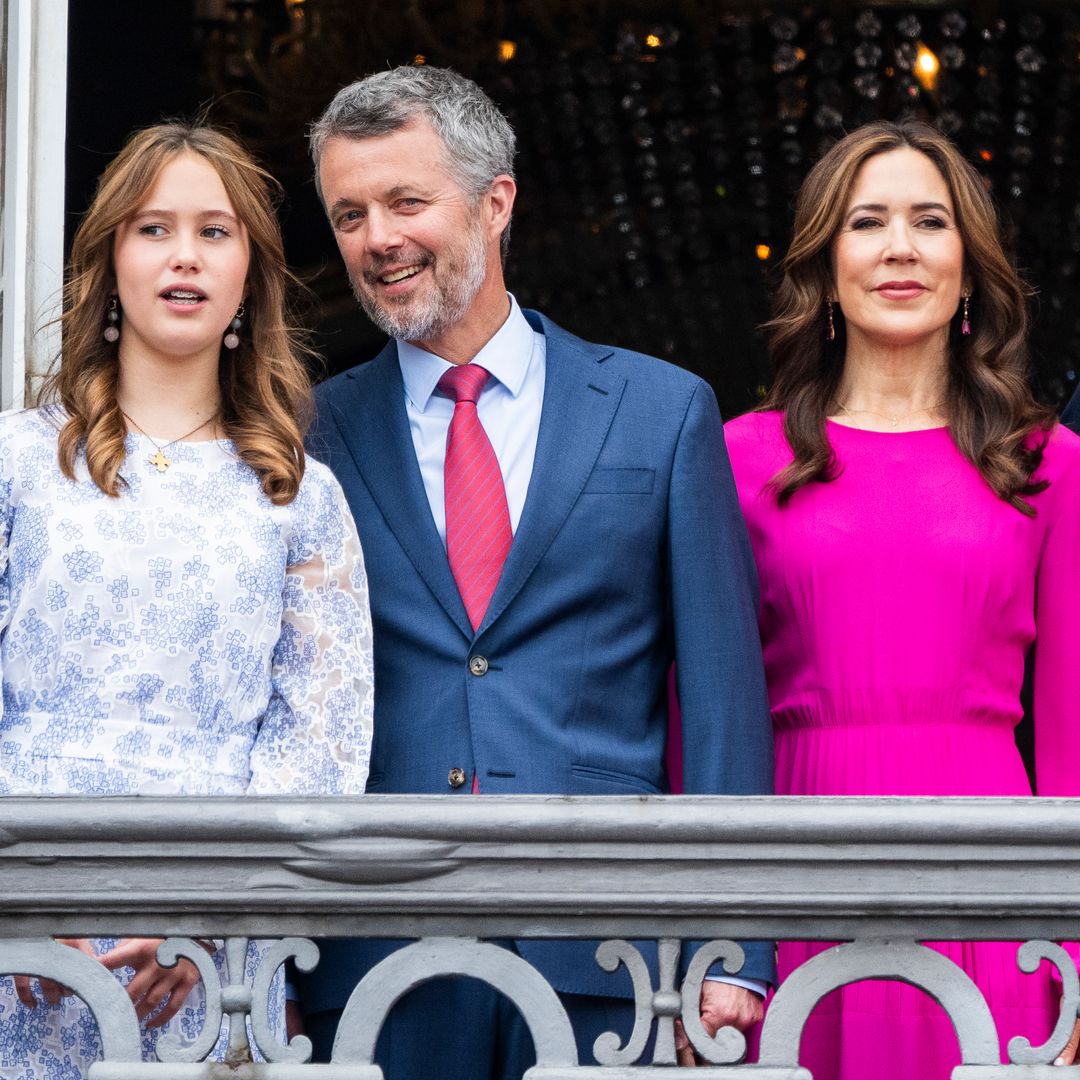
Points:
(371, 416)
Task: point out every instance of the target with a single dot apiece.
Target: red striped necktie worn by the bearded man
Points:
(478, 521)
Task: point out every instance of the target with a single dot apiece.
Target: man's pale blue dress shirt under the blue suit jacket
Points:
(509, 409)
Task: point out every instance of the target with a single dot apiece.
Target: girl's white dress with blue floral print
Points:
(188, 638)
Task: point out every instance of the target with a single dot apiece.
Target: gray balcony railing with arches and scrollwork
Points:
(881, 875)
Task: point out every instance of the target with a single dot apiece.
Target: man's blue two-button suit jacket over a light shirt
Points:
(631, 552)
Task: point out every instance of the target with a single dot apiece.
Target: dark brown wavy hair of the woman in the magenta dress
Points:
(994, 420)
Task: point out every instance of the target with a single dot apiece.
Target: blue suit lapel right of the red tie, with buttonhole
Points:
(580, 400)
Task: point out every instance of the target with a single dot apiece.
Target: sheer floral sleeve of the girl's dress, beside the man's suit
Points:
(316, 736)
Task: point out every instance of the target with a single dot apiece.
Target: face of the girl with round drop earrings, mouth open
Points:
(181, 264)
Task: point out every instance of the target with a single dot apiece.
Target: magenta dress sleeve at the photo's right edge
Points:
(1058, 626)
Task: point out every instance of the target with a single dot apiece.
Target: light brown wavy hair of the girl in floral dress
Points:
(266, 395)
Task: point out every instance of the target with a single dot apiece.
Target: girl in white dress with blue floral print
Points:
(183, 599)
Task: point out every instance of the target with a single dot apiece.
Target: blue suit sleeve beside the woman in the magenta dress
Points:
(727, 733)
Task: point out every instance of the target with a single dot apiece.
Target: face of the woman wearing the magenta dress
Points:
(898, 261)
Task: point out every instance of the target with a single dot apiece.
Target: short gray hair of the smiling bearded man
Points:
(479, 140)
